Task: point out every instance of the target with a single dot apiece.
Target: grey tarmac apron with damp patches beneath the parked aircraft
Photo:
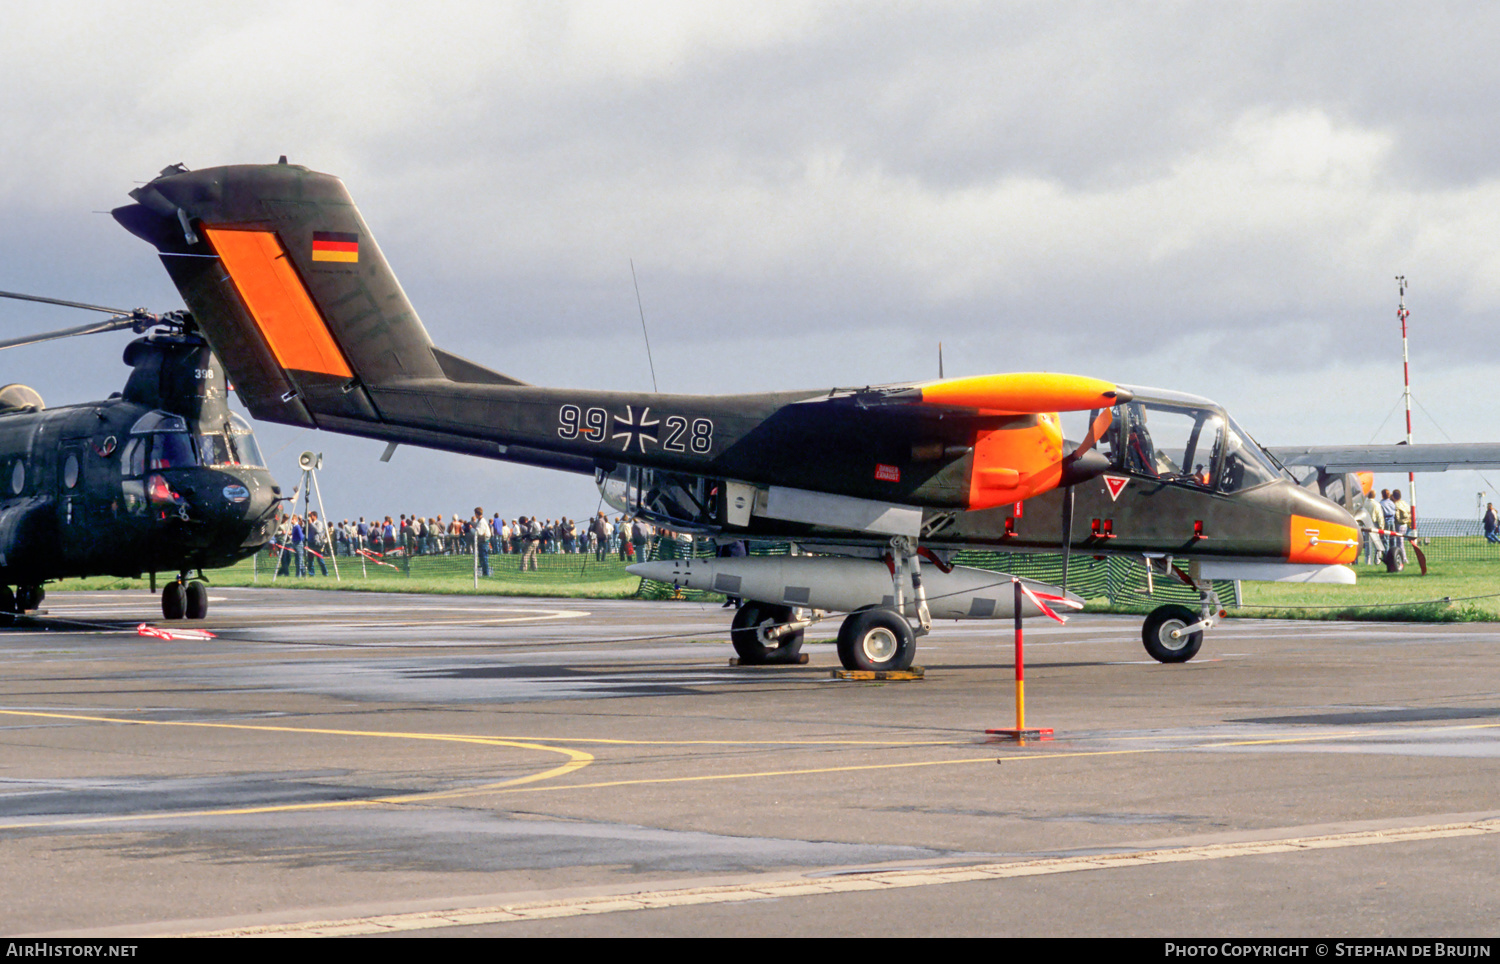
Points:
(373, 764)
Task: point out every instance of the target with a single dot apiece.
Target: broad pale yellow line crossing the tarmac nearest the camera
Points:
(805, 887)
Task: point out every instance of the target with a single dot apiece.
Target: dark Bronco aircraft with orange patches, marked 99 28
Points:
(286, 283)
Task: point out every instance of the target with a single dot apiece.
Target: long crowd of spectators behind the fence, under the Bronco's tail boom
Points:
(304, 545)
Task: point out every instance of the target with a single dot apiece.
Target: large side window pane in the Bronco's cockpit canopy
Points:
(1169, 443)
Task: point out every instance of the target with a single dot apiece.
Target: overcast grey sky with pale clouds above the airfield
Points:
(1213, 199)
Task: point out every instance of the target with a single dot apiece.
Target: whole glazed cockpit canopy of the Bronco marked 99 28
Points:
(1186, 440)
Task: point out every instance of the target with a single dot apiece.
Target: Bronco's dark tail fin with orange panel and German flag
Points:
(289, 286)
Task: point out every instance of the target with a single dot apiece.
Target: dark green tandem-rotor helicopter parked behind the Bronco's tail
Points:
(160, 478)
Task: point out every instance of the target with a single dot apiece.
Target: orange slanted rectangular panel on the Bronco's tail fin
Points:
(278, 301)
